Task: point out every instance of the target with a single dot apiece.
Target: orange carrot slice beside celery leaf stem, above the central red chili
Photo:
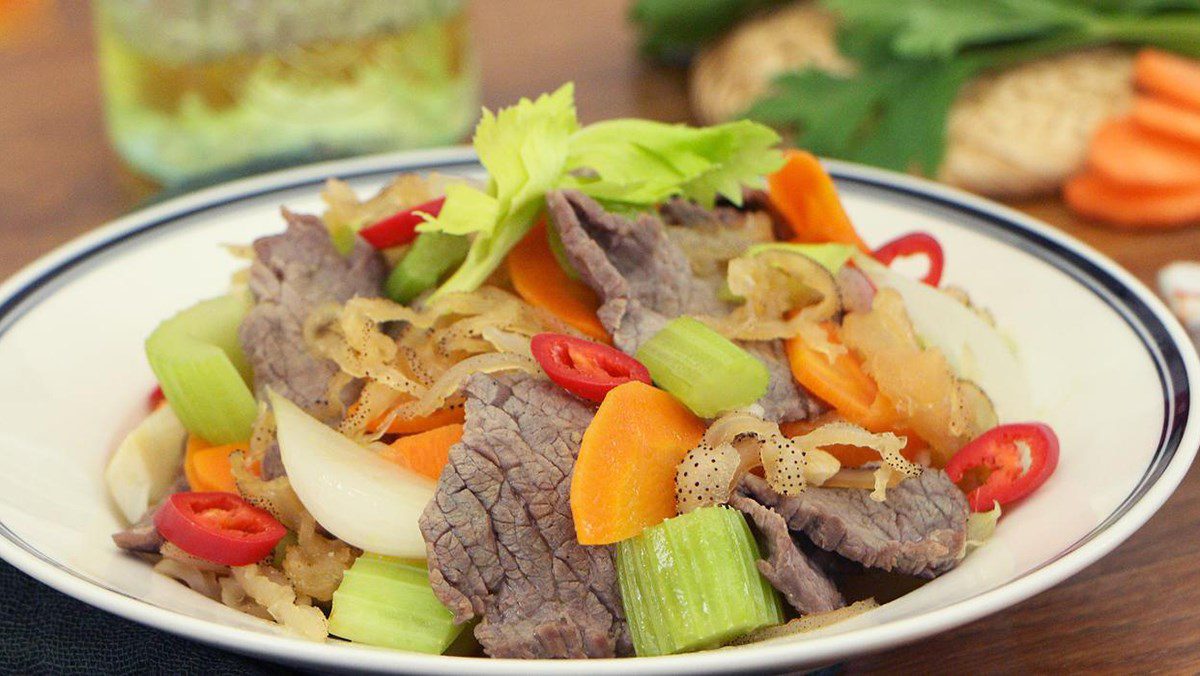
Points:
(538, 278)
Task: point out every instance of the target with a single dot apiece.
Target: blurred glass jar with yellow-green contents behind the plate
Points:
(197, 89)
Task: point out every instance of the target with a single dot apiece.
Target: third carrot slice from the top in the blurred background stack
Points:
(1126, 153)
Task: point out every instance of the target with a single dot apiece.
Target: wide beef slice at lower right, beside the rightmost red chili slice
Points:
(920, 530)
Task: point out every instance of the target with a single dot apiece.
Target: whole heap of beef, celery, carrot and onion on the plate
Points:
(621, 403)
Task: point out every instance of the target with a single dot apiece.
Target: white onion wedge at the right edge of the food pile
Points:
(975, 349)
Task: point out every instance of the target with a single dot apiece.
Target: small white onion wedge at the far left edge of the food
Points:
(147, 463)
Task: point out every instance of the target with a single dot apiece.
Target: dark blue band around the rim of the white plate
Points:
(1149, 327)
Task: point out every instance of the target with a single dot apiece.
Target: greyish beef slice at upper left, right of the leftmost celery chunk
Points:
(293, 274)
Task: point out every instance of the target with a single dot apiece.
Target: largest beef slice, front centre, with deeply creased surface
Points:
(500, 534)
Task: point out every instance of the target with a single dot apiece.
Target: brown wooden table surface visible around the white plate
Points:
(1137, 611)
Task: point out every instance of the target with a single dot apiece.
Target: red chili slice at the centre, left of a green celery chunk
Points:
(584, 368)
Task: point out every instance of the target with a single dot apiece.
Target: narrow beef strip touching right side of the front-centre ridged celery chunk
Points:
(803, 584)
